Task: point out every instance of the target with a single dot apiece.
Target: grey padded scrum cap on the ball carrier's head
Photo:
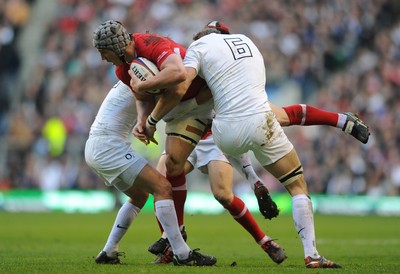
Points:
(111, 35)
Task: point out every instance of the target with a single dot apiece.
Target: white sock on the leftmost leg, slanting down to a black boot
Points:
(124, 218)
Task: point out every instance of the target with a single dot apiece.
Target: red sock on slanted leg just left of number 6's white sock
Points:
(242, 215)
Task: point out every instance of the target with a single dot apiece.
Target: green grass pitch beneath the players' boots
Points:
(68, 243)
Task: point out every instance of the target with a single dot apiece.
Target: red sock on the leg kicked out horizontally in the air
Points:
(308, 116)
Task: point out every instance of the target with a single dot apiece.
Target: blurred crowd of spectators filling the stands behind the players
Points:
(337, 55)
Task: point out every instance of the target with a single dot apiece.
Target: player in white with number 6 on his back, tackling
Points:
(234, 70)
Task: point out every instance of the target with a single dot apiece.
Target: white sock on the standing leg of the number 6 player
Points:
(304, 222)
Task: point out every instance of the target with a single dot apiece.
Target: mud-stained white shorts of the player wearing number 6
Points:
(260, 133)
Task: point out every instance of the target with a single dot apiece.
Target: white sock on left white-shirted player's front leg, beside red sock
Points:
(165, 211)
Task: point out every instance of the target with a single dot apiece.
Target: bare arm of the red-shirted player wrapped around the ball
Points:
(172, 72)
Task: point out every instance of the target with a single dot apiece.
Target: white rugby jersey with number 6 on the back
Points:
(234, 70)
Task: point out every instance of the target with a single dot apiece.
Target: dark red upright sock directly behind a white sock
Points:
(179, 193)
